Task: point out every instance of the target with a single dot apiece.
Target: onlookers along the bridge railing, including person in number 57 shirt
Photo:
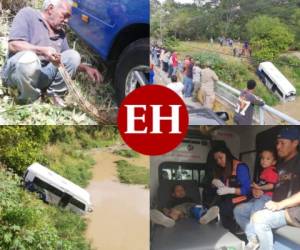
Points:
(199, 80)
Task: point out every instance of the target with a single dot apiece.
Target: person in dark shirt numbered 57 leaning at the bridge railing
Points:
(245, 106)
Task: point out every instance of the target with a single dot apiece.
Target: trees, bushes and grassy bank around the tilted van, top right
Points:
(271, 27)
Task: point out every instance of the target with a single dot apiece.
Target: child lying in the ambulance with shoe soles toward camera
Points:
(179, 207)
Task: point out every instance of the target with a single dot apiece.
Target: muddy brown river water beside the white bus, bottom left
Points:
(120, 220)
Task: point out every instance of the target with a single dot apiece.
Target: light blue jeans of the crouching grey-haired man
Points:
(25, 72)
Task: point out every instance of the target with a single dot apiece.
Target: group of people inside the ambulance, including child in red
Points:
(252, 208)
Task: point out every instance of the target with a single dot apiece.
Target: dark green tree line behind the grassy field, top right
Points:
(200, 21)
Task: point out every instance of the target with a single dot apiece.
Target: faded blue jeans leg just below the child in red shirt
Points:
(243, 212)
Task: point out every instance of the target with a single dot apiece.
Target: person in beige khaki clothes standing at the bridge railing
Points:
(207, 89)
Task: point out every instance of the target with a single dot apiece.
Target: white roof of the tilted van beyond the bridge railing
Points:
(277, 77)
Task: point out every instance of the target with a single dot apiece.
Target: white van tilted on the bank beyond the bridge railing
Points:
(276, 81)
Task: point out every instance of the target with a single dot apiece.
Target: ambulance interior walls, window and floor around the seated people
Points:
(187, 165)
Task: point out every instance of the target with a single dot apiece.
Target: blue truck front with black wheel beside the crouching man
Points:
(118, 31)
